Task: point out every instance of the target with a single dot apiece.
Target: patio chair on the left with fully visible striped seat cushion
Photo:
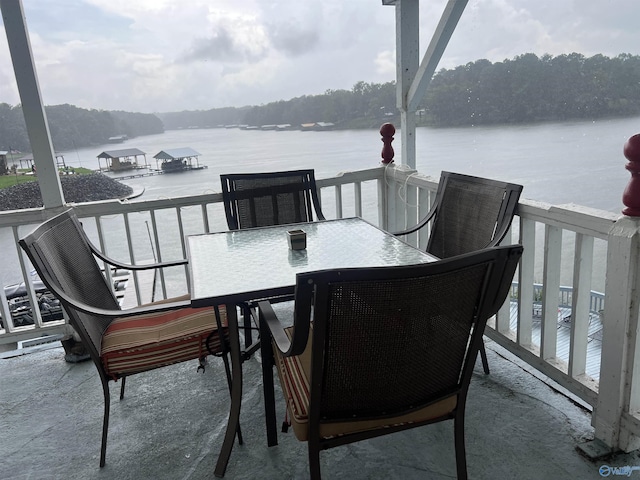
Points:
(120, 342)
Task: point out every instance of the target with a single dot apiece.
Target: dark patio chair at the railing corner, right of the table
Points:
(468, 214)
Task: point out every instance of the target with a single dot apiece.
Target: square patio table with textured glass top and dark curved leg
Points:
(229, 268)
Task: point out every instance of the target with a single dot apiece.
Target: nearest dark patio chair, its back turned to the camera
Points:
(375, 351)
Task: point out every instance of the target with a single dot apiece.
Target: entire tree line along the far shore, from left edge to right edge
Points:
(524, 89)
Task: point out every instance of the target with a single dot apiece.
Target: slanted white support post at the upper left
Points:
(32, 106)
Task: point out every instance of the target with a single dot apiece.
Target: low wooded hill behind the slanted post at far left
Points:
(72, 127)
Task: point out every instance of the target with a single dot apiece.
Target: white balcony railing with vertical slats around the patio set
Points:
(564, 245)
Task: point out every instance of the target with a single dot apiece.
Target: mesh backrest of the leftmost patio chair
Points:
(61, 254)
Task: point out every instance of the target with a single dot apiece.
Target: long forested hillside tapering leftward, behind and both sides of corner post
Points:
(524, 89)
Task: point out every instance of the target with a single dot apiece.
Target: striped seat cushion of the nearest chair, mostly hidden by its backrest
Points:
(294, 373)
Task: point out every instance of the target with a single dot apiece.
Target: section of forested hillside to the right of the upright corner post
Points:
(533, 89)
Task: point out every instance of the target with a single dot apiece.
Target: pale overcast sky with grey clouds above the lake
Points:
(173, 55)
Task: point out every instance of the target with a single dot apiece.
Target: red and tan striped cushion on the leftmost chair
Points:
(143, 342)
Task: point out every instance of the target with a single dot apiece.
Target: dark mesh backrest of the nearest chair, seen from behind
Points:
(390, 340)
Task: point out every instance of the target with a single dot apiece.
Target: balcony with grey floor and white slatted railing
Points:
(530, 363)
